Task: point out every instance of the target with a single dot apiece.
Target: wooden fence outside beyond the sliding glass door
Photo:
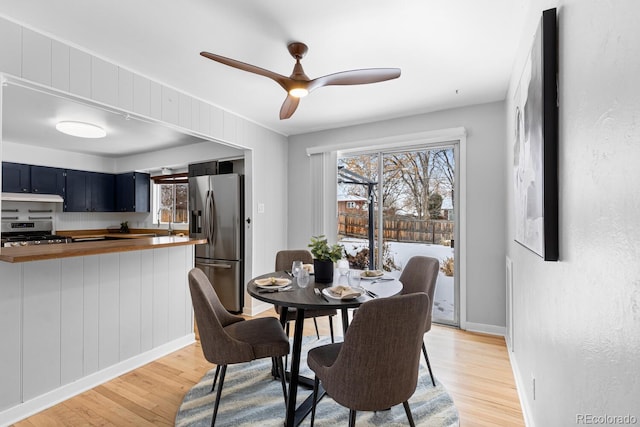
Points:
(398, 229)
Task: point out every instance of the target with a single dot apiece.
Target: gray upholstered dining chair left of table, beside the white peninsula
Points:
(228, 339)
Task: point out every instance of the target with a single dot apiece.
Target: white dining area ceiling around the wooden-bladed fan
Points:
(451, 52)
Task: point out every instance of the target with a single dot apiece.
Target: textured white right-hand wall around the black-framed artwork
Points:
(577, 321)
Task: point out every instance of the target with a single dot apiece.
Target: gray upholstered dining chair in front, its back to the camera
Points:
(376, 367)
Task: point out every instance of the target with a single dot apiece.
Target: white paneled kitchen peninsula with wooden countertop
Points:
(69, 323)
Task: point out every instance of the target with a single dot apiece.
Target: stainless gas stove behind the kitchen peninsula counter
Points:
(27, 233)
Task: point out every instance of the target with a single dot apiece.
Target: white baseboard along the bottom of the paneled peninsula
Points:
(44, 401)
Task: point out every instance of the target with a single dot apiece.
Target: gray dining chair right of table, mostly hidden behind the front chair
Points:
(420, 275)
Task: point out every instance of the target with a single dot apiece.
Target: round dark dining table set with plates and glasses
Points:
(313, 296)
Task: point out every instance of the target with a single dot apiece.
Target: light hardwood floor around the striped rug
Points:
(474, 368)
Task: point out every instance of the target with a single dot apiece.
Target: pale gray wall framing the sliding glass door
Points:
(485, 194)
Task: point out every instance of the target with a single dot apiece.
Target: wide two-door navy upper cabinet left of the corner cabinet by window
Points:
(89, 192)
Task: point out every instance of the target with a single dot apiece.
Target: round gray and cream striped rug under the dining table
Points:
(250, 397)
